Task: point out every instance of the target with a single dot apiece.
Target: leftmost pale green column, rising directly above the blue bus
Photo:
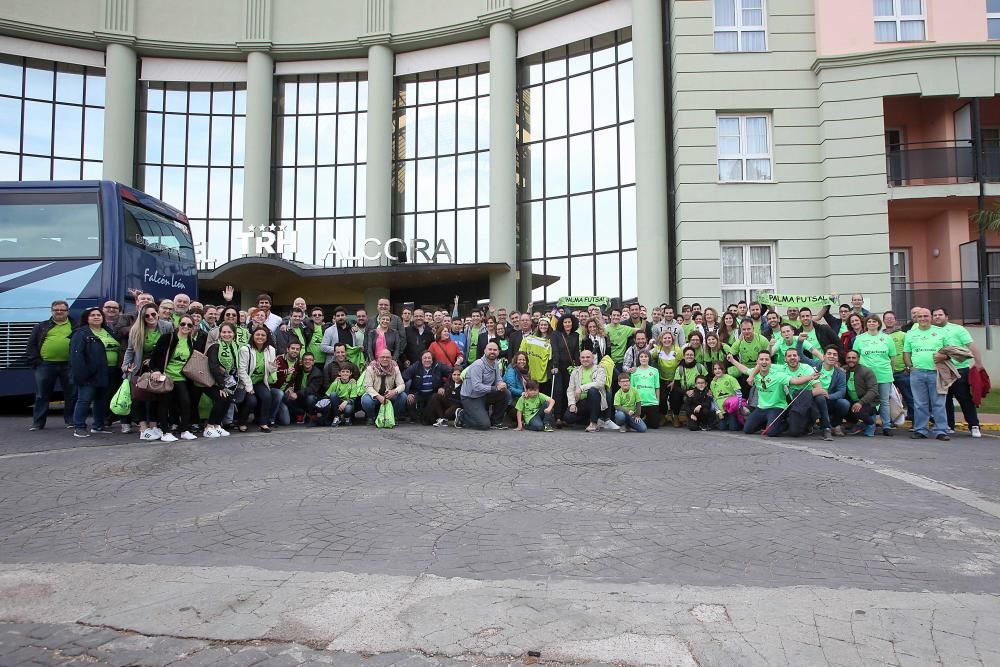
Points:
(119, 113)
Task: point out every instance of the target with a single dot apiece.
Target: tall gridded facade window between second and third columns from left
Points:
(320, 151)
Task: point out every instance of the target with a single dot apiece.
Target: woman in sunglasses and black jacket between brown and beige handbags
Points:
(167, 362)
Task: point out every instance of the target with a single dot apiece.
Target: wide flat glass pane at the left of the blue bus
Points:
(49, 226)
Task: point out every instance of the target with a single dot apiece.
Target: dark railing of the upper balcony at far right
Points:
(940, 163)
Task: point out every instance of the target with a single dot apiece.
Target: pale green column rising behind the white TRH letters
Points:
(257, 170)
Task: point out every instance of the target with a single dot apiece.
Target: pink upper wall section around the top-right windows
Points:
(848, 26)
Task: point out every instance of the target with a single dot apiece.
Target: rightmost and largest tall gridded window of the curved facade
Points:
(576, 170)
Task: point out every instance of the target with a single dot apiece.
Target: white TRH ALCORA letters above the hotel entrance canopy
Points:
(277, 239)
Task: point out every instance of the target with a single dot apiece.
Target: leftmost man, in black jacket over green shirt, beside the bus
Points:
(48, 353)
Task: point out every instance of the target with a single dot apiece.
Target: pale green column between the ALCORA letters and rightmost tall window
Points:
(503, 192)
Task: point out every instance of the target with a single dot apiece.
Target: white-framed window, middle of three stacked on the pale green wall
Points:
(744, 148)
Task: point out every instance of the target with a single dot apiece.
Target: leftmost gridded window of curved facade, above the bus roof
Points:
(51, 120)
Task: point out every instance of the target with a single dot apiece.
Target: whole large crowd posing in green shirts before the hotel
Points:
(749, 368)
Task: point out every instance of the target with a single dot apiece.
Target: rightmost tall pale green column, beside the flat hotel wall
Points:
(652, 218)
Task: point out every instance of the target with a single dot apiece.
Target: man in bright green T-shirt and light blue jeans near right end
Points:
(921, 350)
